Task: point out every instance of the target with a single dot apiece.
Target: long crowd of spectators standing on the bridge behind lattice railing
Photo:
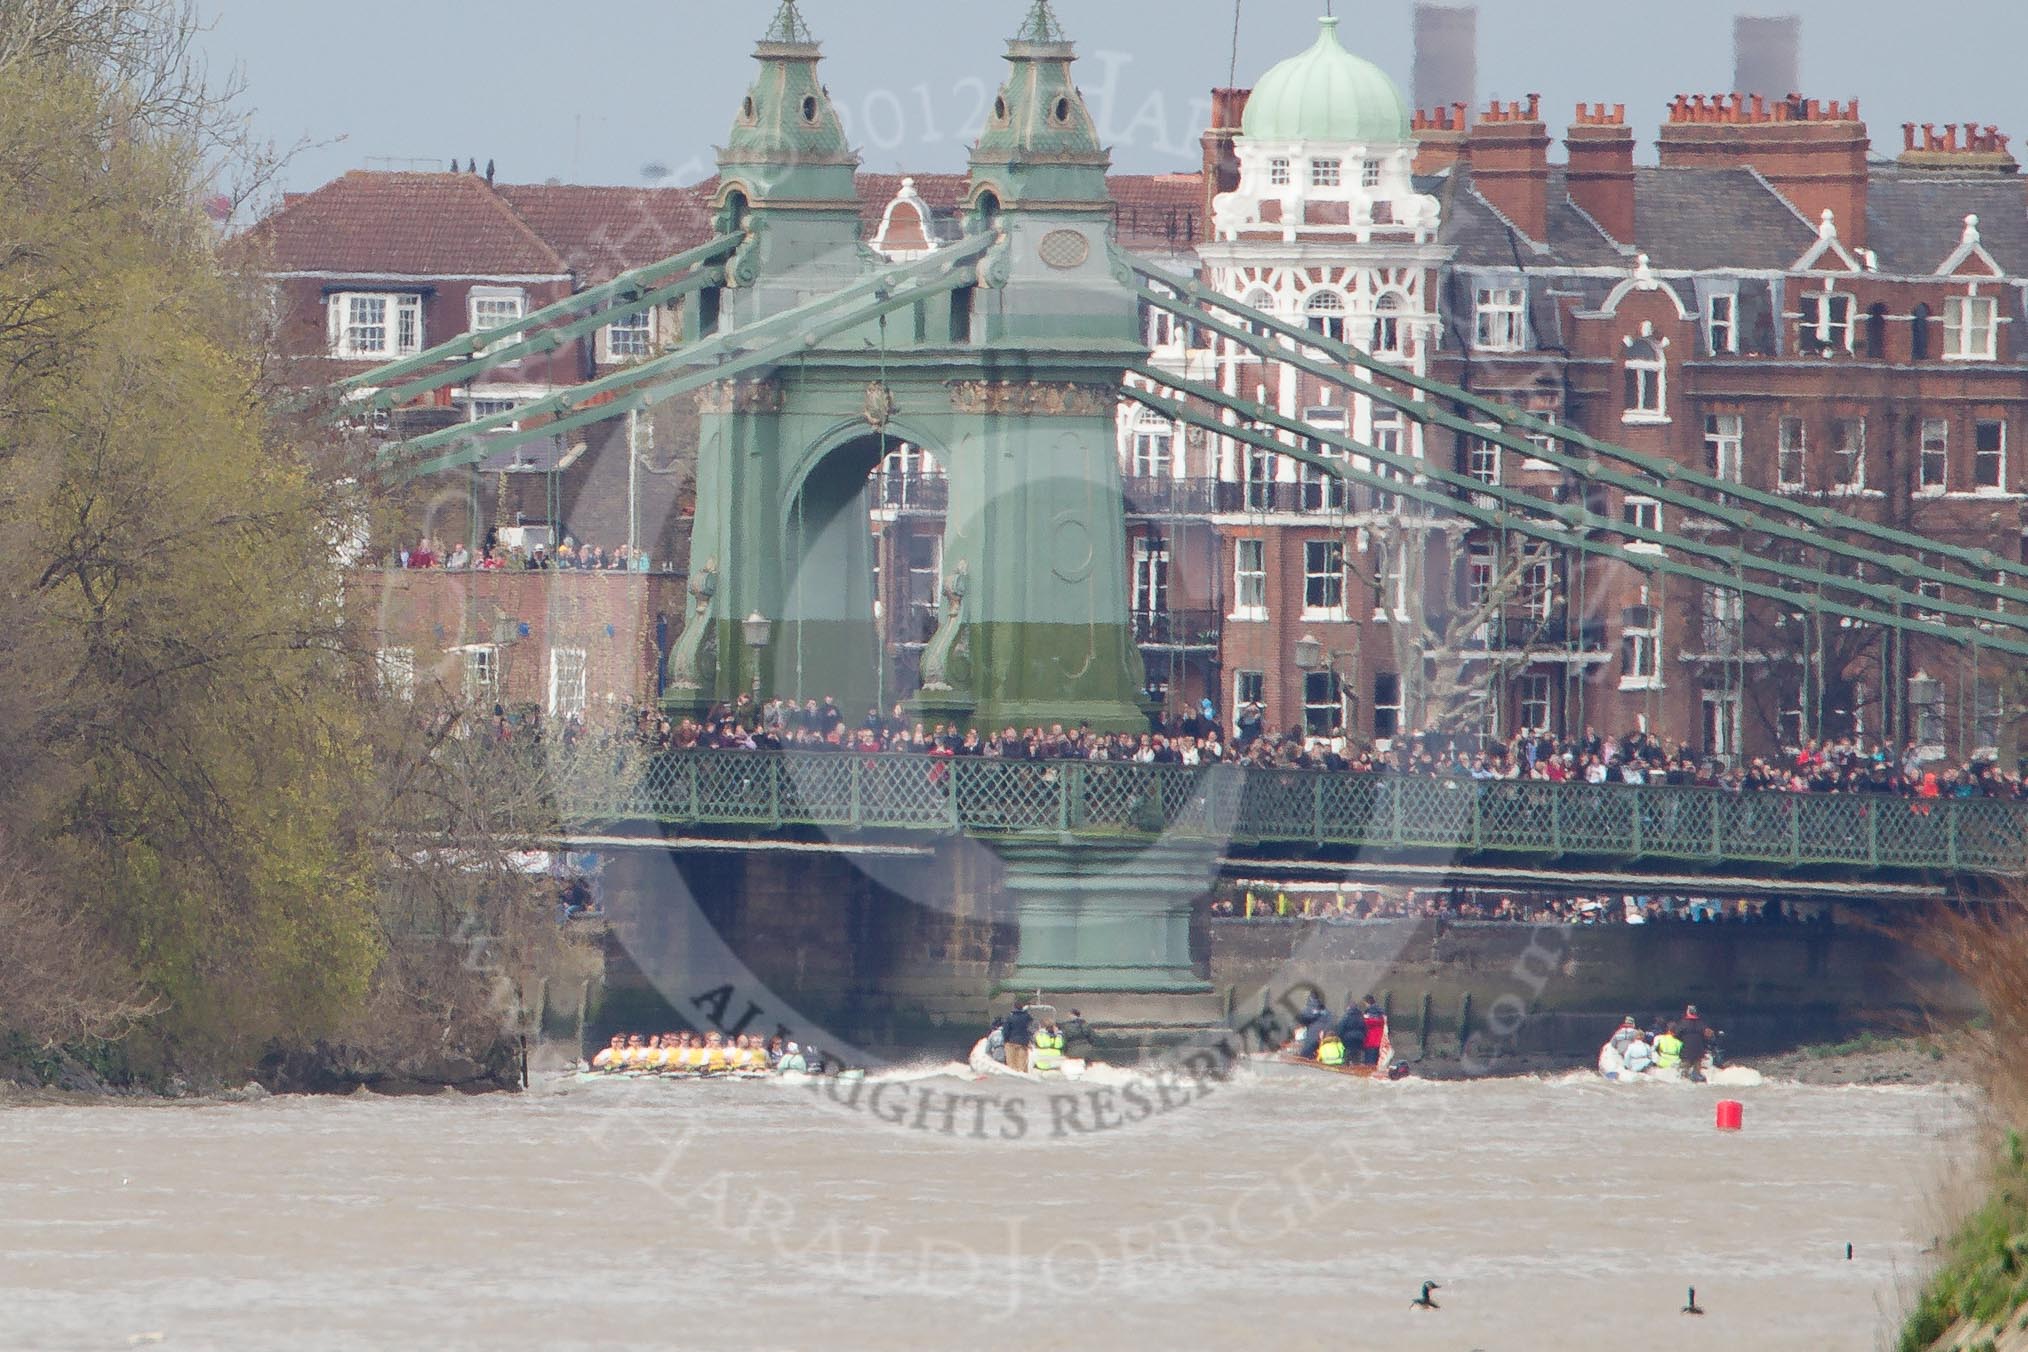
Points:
(1834, 765)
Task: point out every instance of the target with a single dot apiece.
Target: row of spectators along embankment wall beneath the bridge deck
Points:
(1461, 907)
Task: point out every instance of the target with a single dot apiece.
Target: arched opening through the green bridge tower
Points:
(857, 546)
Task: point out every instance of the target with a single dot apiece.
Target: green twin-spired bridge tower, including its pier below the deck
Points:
(1009, 370)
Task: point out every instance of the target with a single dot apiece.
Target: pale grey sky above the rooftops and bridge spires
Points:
(601, 90)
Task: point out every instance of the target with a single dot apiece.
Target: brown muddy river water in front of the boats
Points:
(934, 1213)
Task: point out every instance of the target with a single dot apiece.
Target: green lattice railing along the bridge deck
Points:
(1252, 808)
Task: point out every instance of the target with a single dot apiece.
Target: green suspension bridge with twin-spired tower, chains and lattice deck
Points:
(1007, 354)
